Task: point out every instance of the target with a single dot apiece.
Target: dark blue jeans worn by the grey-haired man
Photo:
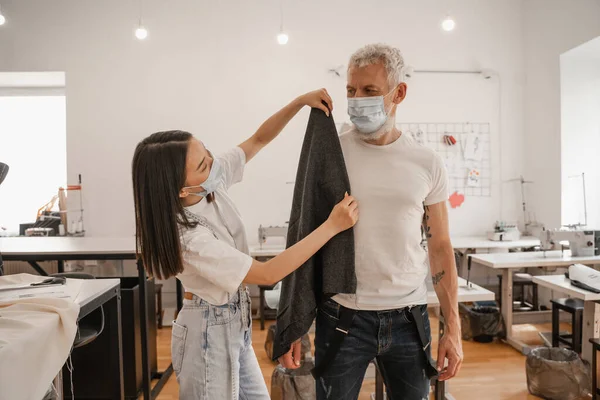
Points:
(390, 337)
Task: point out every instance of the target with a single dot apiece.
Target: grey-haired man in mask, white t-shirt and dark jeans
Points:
(401, 187)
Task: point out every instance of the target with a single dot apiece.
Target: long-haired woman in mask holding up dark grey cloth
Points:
(187, 226)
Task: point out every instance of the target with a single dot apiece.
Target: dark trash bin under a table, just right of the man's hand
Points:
(482, 324)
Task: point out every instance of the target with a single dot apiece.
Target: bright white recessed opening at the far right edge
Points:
(580, 134)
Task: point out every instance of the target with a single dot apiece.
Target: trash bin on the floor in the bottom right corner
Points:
(557, 374)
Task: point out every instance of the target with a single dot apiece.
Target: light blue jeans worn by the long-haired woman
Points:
(211, 349)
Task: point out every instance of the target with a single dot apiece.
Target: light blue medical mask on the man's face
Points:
(368, 114)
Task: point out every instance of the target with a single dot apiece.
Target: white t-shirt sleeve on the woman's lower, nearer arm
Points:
(215, 261)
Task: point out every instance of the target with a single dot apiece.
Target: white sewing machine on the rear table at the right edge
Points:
(582, 243)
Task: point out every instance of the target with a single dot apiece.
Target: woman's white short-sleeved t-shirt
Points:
(213, 269)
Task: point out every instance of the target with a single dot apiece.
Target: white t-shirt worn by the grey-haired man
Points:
(391, 184)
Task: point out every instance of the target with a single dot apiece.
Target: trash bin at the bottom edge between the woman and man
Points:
(294, 384)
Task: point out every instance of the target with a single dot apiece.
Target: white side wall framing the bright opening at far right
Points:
(550, 28)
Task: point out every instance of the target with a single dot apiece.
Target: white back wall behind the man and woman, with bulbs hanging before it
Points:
(214, 68)
